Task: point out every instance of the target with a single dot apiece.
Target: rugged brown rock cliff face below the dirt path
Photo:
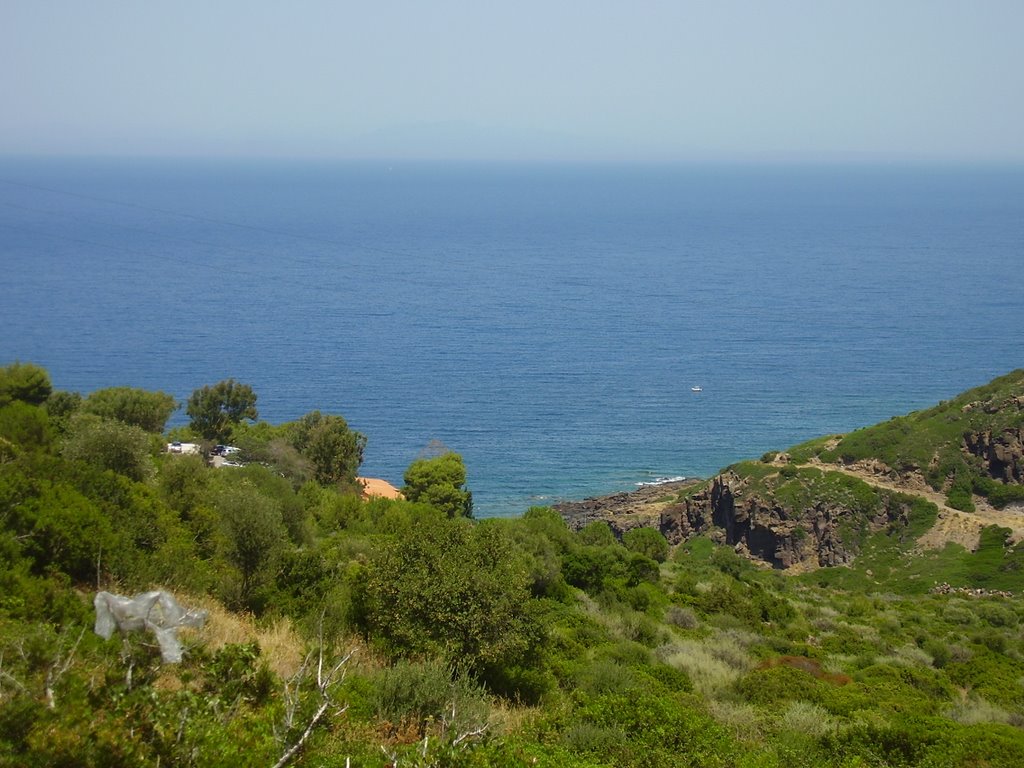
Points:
(820, 536)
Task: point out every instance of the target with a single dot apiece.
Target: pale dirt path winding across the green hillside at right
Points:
(952, 525)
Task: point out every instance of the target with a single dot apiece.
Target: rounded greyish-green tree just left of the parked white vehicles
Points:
(109, 445)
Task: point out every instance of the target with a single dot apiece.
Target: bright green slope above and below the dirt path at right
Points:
(929, 441)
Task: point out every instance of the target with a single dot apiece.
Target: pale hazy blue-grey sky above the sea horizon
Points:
(928, 79)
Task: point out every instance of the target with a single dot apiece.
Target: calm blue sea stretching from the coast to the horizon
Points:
(547, 323)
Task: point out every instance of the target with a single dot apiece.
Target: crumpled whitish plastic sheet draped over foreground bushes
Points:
(156, 612)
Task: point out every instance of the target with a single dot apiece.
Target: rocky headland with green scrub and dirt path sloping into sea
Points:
(948, 472)
